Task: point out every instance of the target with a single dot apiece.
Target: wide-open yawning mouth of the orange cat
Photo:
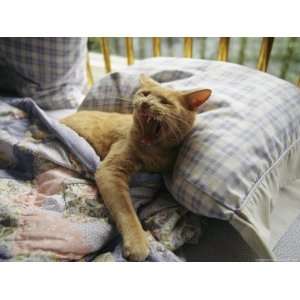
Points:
(151, 126)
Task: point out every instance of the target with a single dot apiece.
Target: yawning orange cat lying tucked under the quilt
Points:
(146, 140)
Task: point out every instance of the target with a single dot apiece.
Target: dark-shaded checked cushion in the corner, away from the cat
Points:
(50, 70)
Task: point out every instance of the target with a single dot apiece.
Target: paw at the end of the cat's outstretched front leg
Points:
(136, 248)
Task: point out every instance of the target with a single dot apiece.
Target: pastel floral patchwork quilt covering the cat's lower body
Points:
(50, 209)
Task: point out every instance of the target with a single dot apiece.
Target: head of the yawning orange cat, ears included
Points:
(163, 115)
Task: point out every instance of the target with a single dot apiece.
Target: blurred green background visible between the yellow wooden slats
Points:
(284, 61)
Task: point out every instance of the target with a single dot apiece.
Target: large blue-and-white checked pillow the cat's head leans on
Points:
(245, 145)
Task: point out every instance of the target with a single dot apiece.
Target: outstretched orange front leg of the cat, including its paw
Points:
(112, 180)
